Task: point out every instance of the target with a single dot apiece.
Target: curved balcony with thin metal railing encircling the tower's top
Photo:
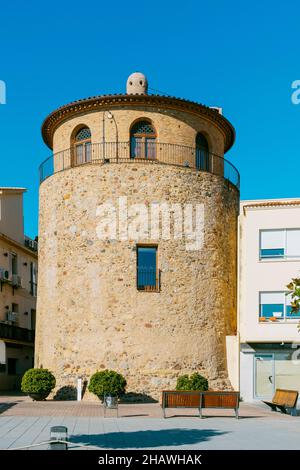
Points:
(157, 153)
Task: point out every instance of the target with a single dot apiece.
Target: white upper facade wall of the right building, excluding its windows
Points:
(267, 275)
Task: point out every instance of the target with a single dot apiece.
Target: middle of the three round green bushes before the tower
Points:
(107, 382)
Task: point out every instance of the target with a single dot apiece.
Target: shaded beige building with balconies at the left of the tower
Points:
(18, 289)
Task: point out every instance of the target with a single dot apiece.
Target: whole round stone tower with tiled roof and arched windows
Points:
(149, 303)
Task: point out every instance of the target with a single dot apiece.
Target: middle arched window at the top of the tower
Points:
(142, 140)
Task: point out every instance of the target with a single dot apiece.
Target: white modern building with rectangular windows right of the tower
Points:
(269, 257)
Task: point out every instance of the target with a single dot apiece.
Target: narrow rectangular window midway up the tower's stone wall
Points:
(147, 273)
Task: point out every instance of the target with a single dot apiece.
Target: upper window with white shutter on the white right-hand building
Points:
(280, 244)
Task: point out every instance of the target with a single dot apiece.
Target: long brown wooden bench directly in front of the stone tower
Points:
(200, 400)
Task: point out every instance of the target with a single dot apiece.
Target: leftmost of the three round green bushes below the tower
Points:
(38, 381)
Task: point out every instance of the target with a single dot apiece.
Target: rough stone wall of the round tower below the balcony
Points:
(91, 315)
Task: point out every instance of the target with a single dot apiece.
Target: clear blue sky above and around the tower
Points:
(237, 55)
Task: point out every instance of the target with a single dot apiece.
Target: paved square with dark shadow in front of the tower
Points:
(23, 422)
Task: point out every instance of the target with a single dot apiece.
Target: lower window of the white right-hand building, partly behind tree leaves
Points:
(276, 306)
